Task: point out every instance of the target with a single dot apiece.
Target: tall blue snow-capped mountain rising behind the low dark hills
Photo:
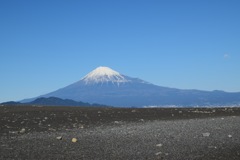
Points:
(106, 86)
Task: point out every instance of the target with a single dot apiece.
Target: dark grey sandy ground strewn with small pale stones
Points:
(173, 134)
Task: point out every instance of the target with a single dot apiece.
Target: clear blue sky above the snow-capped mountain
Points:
(187, 44)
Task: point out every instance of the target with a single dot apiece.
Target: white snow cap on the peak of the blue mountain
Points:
(104, 74)
